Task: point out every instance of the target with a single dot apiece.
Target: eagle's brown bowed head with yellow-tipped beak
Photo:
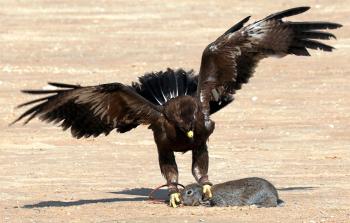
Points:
(184, 112)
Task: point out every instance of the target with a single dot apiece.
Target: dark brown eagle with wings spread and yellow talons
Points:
(177, 104)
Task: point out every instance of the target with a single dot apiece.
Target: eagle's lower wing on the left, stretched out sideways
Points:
(91, 111)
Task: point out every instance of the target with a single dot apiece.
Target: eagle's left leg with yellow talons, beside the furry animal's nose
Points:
(169, 170)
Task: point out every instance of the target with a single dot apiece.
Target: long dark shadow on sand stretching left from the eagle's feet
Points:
(141, 193)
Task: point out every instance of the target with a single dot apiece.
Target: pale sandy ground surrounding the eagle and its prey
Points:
(290, 125)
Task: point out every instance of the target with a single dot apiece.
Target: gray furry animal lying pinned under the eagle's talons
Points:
(247, 191)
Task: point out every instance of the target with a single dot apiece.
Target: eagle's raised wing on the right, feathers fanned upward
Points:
(229, 61)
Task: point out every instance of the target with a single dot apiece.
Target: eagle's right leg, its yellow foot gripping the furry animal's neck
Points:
(200, 164)
